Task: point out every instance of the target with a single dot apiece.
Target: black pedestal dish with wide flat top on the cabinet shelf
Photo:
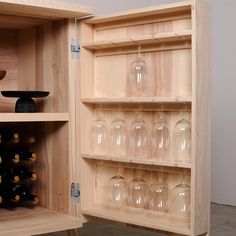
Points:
(25, 103)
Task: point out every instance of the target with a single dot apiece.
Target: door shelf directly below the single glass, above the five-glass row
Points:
(144, 100)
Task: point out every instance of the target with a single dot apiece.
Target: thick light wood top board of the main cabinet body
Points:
(45, 8)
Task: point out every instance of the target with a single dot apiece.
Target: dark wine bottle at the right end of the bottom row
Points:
(25, 195)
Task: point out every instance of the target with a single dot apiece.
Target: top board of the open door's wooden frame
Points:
(161, 9)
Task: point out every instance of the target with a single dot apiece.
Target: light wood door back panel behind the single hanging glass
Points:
(112, 73)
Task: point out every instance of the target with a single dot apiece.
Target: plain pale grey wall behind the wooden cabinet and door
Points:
(223, 89)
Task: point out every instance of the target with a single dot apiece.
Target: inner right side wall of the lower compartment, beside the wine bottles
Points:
(53, 165)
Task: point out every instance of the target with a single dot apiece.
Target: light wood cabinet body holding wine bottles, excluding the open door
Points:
(35, 49)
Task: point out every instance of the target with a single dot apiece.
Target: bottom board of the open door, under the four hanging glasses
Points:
(141, 217)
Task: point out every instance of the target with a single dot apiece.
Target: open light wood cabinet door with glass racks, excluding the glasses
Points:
(171, 40)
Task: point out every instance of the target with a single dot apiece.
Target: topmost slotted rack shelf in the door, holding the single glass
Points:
(141, 40)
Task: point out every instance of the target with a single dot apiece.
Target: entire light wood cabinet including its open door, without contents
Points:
(36, 39)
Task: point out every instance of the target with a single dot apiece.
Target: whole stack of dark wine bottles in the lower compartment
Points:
(16, 169)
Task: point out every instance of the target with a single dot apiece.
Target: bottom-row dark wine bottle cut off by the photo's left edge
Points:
(8, 197)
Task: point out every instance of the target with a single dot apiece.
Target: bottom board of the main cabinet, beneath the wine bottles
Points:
(23, 221)
